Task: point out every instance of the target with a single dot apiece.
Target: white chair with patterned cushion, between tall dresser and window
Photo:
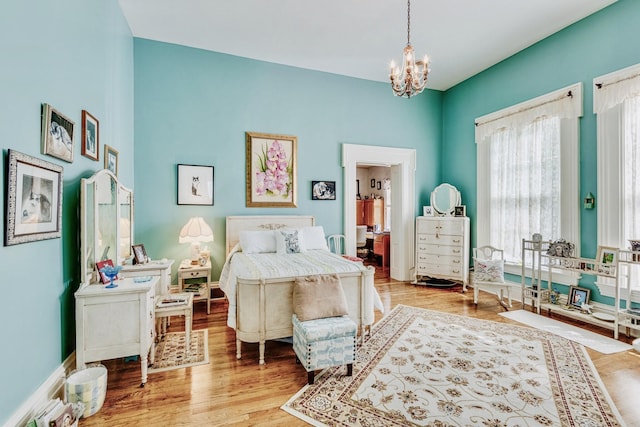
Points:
(488, 274)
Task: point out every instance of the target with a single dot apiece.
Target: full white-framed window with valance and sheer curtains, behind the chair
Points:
(528, 174)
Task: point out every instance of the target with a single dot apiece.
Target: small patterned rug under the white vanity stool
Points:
(171, 354)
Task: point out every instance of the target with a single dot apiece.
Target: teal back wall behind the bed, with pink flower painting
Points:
(194, 106)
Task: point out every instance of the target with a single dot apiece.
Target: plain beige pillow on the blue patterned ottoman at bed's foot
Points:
(317, 297)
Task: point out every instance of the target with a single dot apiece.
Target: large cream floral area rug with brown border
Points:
(427, 368)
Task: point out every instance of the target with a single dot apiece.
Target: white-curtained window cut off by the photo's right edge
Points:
(616, 101)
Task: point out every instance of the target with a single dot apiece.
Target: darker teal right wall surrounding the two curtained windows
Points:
(599, 44)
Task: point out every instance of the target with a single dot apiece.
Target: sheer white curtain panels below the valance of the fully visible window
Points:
(525, 184)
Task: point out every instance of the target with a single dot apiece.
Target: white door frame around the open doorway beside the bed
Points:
(403, 161)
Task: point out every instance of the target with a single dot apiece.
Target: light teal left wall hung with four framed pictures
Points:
(76, 55)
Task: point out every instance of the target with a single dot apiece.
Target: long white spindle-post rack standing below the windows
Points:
(537, 291)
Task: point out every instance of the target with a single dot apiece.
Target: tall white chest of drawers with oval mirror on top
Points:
(442, 241)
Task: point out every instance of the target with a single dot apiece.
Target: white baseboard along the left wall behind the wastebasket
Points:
(52, 387)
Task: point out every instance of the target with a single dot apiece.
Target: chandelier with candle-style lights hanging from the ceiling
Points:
(412, 78)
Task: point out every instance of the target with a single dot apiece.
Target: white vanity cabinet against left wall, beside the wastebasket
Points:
(116, 322)
